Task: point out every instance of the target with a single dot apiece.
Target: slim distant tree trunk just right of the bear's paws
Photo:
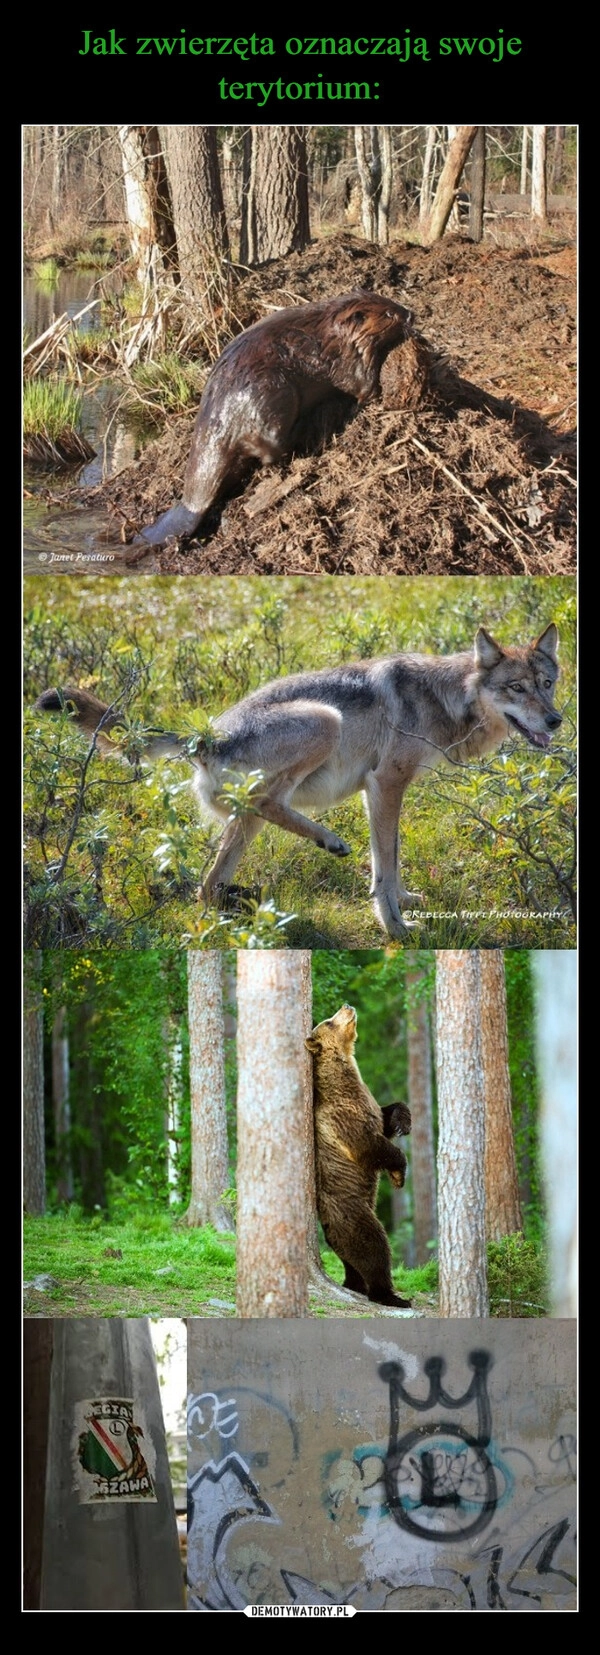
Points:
(421, 1101)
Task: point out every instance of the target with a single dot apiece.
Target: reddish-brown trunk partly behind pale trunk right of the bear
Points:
(503, 1207)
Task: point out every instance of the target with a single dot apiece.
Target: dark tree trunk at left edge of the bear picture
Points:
(34, 1126)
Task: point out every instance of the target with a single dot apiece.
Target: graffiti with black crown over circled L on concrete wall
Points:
(485, 1523)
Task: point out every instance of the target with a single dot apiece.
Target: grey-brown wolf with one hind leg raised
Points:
(369, 727)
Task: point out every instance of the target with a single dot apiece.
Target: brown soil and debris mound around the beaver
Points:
(467, 463)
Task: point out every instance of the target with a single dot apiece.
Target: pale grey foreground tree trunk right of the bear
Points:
(462, 1138)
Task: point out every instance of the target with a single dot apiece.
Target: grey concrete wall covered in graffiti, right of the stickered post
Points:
(429, 1470)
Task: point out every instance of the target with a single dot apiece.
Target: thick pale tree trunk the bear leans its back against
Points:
(272, 1135)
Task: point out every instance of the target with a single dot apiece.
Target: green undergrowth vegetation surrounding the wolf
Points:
(117, 851)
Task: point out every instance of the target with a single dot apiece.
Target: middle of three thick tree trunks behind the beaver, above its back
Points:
(198, 198)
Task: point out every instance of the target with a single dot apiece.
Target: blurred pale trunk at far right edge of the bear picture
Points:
(556, 1035)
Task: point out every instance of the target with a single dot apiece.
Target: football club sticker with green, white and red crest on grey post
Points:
(113, 1457)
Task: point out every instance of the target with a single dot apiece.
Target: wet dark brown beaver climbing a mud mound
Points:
(267, 381)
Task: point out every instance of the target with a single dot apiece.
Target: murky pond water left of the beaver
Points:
(62, 539)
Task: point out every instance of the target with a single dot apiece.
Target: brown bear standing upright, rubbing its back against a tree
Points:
(353, 1148)
